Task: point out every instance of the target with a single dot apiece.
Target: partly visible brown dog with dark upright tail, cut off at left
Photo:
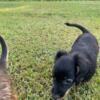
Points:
(5, 82)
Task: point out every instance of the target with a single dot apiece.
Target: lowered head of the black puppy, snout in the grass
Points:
(63, 74)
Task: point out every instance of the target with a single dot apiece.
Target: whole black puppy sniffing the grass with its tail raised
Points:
(77, 66)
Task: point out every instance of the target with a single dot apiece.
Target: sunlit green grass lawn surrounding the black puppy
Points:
(34, 32)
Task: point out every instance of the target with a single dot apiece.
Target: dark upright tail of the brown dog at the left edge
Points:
(4, 50)
